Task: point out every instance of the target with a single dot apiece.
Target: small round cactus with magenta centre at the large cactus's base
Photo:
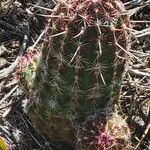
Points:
(104, 130)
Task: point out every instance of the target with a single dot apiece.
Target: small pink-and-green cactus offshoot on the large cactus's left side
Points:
(26, 70)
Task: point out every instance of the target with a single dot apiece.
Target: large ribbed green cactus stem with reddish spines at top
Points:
(82, 64)
